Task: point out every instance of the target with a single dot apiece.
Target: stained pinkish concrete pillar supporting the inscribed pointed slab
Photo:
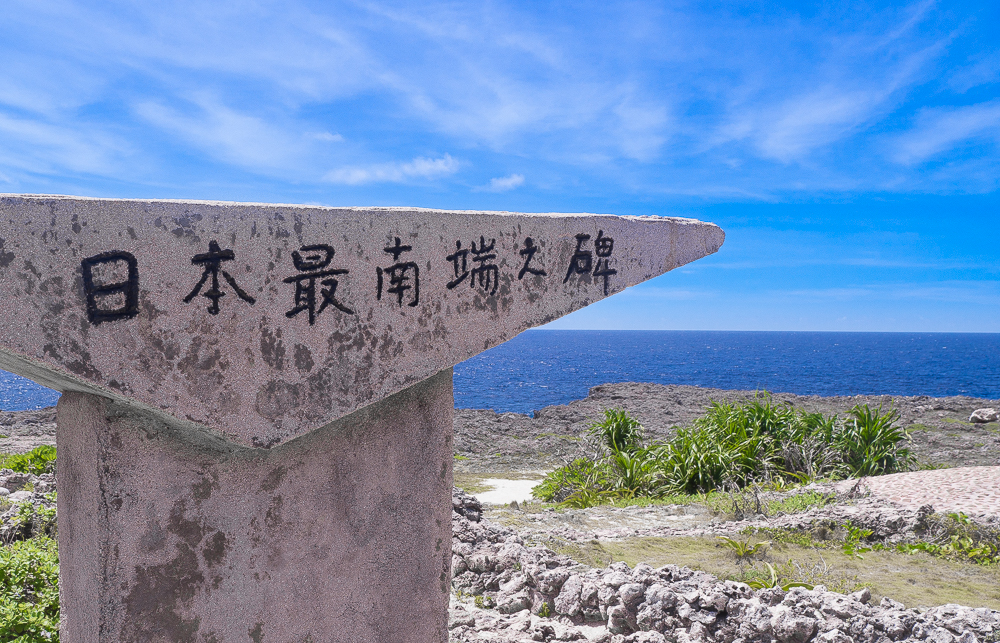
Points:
(170, 534)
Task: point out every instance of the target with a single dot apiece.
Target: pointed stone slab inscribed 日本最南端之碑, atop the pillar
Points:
(264, 321)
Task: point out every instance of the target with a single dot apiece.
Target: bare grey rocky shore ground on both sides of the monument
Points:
(509, 583)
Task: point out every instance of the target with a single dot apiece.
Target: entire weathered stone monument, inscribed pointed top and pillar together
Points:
(255, 425)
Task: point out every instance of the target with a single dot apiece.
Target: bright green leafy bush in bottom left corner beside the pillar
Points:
(29, 591)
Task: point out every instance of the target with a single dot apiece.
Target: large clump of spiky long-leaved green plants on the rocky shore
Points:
(733, 446)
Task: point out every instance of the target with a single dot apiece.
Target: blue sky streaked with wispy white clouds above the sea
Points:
(851, 154)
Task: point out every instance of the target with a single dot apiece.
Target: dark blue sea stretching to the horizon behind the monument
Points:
(543, 367)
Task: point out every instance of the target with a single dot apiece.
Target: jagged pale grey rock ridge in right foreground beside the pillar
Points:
(529, 593)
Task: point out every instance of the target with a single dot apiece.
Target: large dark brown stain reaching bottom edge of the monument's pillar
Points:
(153, 606)
